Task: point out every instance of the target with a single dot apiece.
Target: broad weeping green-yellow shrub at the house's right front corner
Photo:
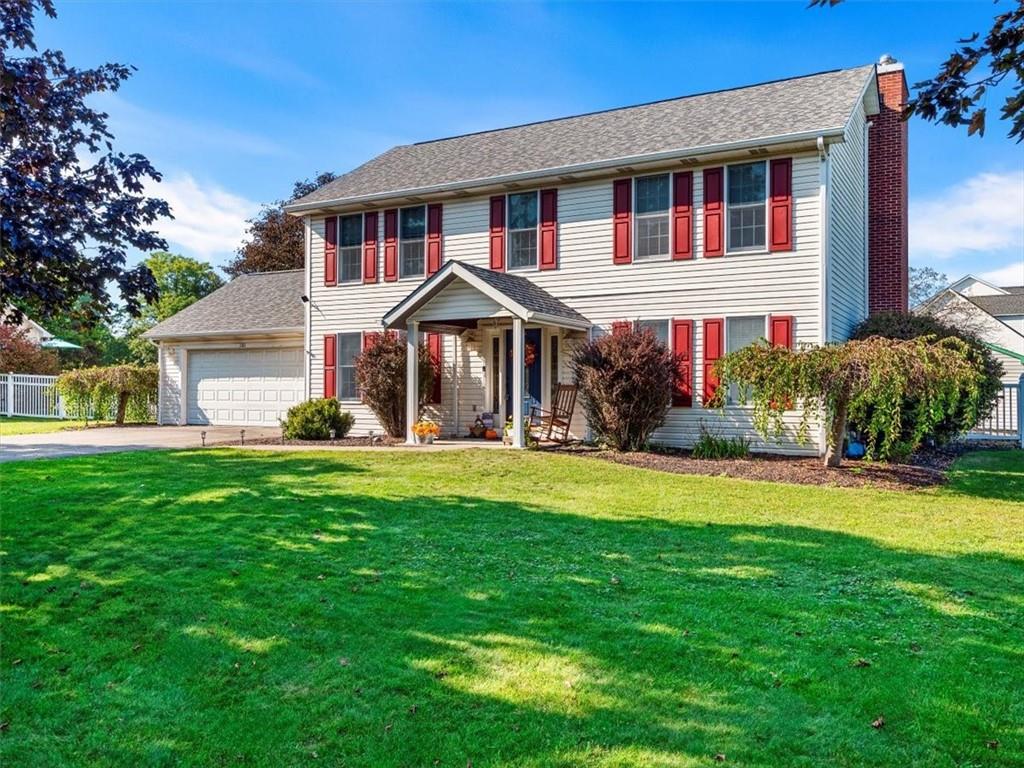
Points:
(869, 382)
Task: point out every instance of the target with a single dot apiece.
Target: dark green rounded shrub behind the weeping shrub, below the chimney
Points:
(968, 412)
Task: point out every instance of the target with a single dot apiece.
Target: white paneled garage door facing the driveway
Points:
(244, 387)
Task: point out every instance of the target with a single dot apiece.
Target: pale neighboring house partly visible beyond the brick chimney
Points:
(997, 315)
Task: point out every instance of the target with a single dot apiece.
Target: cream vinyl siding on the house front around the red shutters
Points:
(589, 282)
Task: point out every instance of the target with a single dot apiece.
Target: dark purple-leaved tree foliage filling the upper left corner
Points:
(72, 206)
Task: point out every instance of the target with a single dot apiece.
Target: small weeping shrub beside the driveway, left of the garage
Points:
(94, 393)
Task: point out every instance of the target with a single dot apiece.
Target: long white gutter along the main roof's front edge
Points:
(832, 136)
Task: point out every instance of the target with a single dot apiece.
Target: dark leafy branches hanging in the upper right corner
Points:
(958, 95)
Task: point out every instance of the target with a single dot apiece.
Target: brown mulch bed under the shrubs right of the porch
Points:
(926, 470)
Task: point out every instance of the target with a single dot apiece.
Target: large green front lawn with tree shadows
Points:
(490, 609)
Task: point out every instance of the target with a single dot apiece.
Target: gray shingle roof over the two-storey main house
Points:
(805, 105)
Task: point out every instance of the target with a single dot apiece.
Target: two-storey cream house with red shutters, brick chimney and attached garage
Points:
(777, 210)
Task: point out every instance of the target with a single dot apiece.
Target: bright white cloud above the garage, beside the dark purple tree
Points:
(209, 222)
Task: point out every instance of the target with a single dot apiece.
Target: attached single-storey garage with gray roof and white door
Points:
(237, 357)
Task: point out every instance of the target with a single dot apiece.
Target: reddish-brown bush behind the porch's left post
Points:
(380, 373)
